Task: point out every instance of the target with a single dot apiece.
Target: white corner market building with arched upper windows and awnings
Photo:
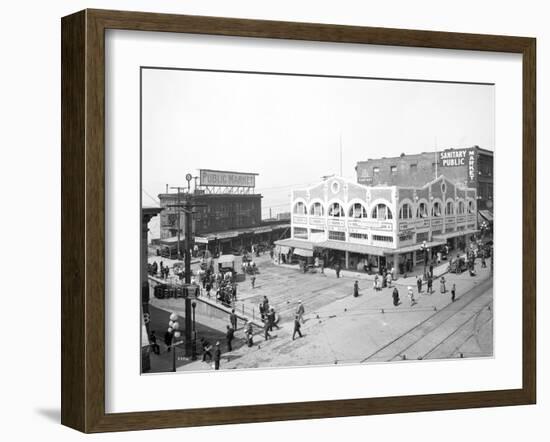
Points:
(380, 226)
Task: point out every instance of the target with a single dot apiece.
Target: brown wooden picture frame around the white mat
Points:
(83, 220)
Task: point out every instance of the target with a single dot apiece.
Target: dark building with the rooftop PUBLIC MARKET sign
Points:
(228, 216)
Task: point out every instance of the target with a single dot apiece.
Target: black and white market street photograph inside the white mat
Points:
(294, 220)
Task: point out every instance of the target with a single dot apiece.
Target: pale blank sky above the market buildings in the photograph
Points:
(289, 129)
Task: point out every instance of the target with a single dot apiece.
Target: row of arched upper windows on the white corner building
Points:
(382, 211)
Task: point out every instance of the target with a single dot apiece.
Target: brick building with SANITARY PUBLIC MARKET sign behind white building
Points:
(469, 167)
